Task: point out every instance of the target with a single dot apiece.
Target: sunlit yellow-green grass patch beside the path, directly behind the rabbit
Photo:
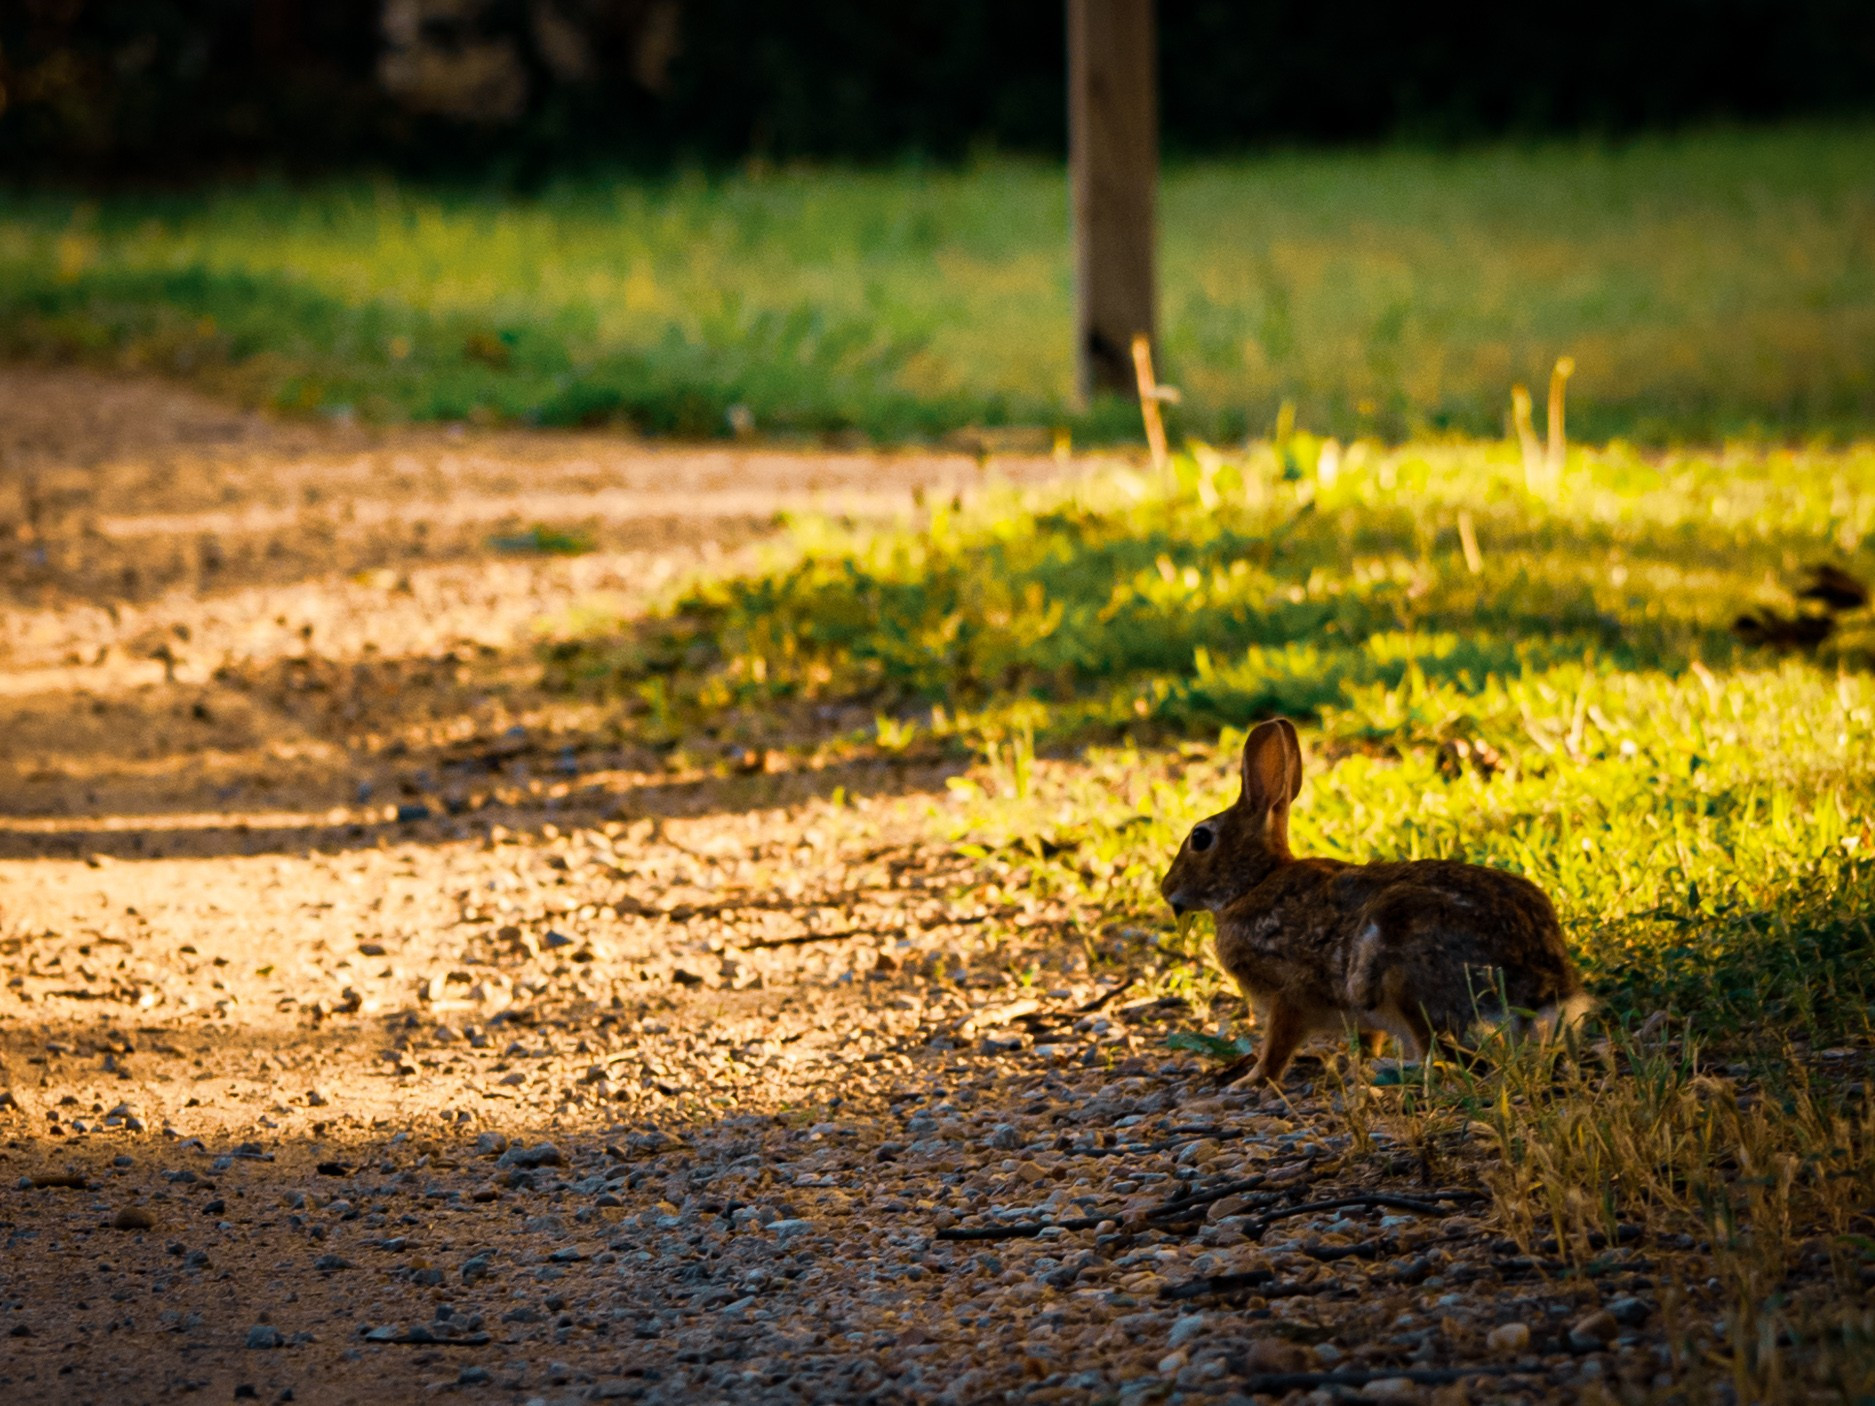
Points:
(1700, 811)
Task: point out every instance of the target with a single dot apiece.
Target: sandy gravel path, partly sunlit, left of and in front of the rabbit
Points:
(378, 1025)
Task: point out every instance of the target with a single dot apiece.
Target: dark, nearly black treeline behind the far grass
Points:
(168, 89)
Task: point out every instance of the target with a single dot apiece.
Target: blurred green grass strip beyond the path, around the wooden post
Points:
(1707, 286)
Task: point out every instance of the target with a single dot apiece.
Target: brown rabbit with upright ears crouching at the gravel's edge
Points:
(1418, 951)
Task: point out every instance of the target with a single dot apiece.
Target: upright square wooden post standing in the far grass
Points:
(1113, 119)
